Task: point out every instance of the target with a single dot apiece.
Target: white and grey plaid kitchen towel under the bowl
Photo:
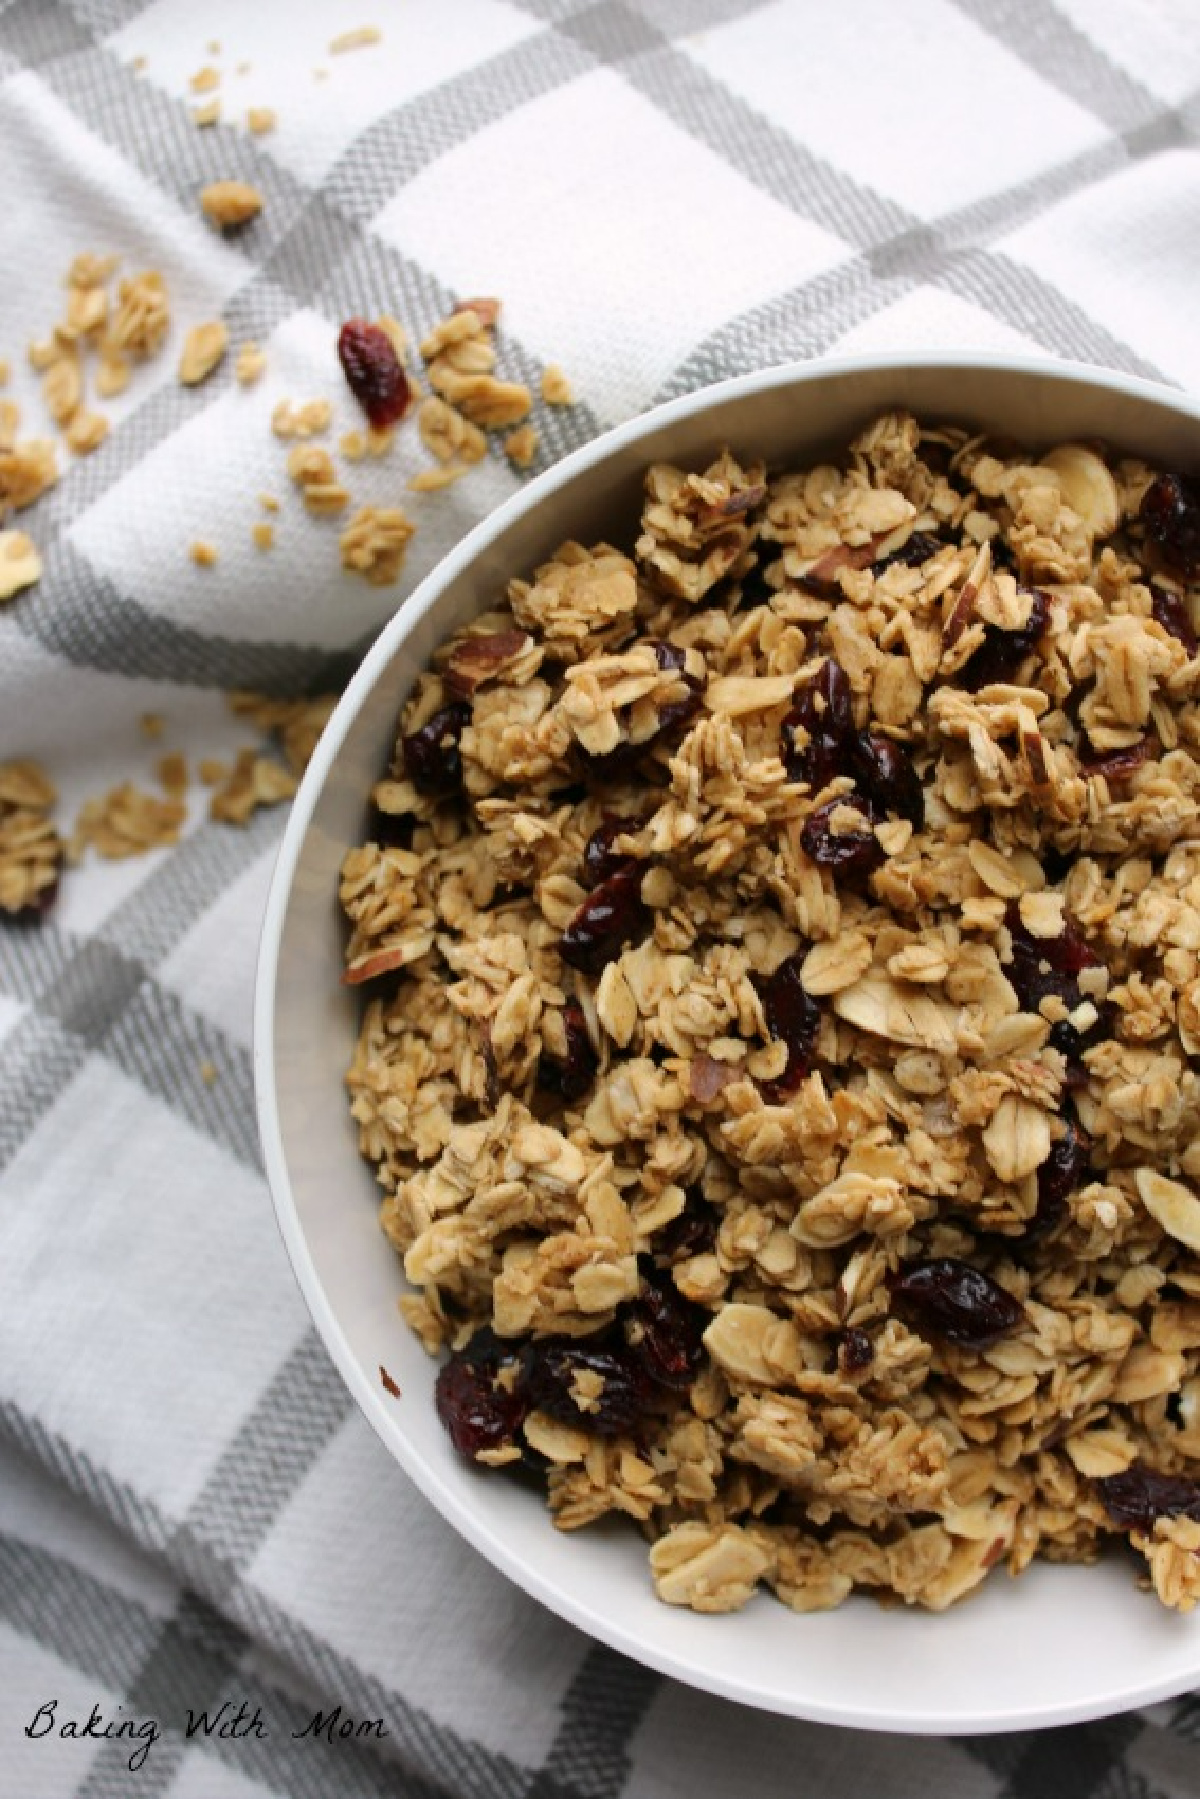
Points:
(193, 1519)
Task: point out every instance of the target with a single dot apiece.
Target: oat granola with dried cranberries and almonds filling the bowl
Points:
(782, 963)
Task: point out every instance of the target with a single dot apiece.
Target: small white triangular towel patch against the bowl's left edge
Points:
(213, 967)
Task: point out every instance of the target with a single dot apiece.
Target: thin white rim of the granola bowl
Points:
(1125, 1692)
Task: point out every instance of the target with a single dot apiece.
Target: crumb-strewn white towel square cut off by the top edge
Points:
(323, 102)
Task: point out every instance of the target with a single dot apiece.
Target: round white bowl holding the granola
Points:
(1052, 1649)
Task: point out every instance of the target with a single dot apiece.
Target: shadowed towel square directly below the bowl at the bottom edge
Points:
(686, 1732)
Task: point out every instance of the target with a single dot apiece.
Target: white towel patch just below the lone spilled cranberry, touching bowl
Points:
(208, 479)
